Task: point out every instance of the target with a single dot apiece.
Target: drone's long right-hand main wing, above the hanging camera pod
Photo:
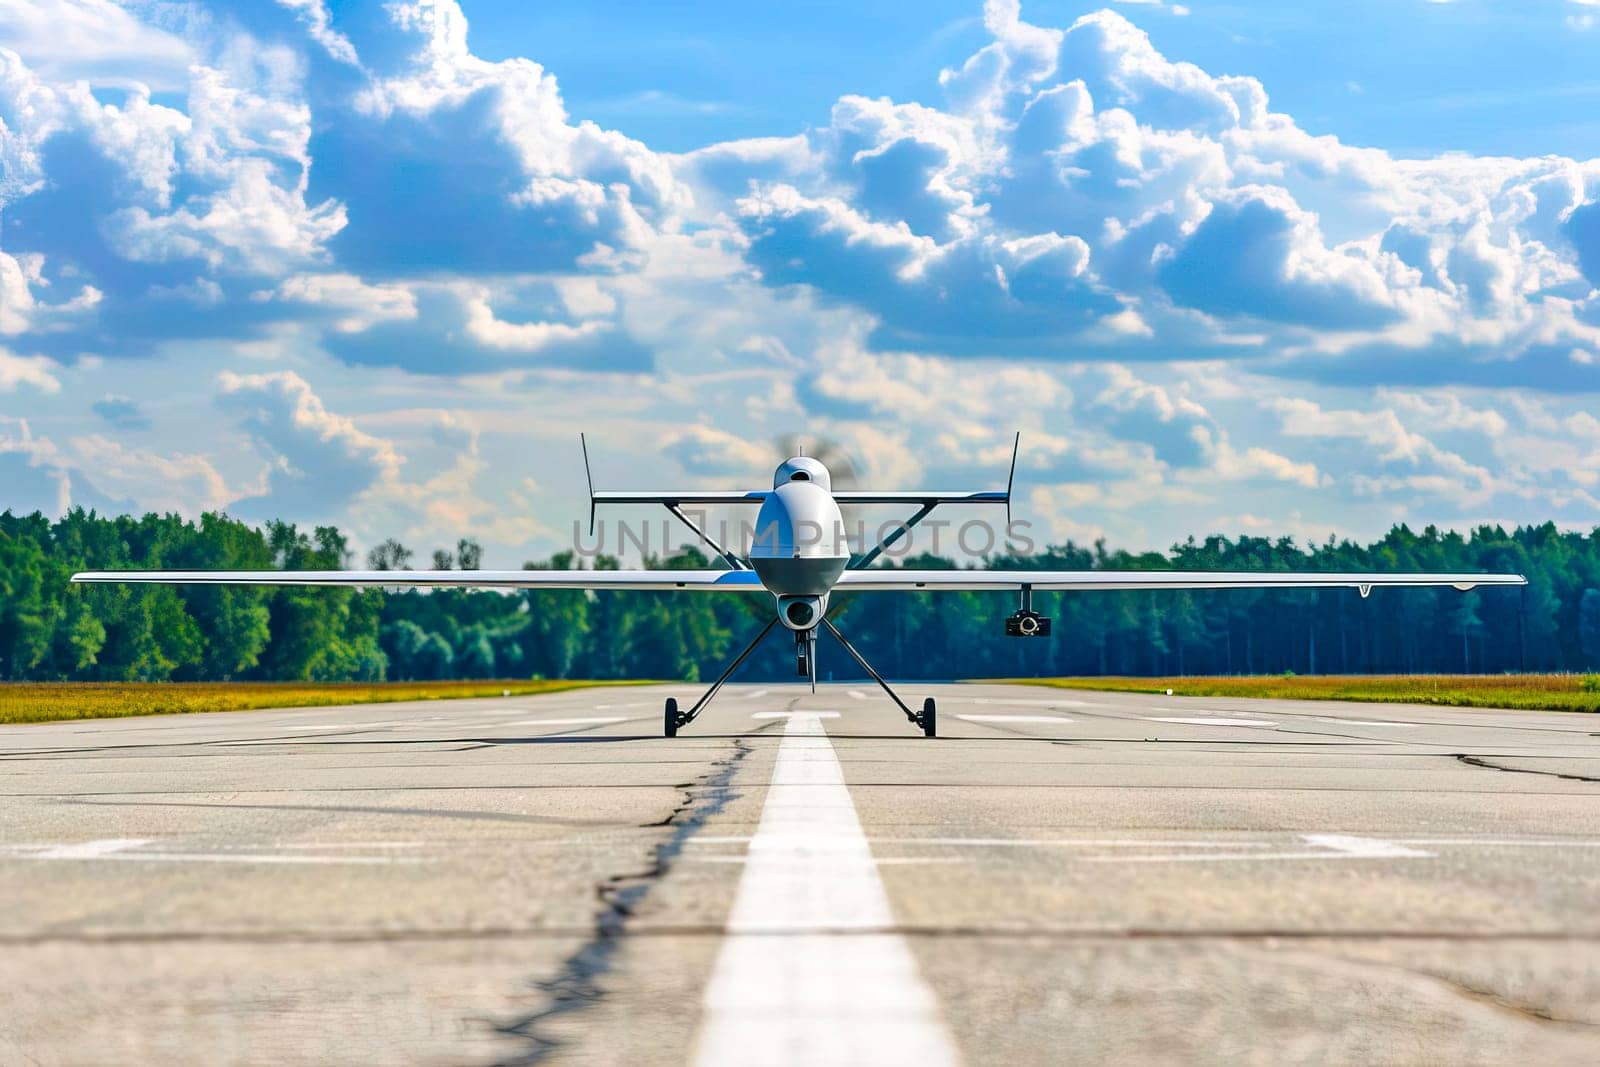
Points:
(980, 580)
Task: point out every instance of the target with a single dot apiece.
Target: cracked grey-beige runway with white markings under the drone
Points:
(1062, 876)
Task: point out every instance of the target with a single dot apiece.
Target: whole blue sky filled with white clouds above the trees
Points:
(1241, 268)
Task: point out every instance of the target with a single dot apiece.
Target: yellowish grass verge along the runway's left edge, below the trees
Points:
(57, 701)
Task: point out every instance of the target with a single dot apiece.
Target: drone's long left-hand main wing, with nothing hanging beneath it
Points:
(713, 581)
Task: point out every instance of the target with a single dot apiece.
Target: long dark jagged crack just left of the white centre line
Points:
(577, 986)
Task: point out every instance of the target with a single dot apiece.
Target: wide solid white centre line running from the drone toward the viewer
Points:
(818, 997)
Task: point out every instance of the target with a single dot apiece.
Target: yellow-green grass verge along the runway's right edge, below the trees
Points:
(1543, 693)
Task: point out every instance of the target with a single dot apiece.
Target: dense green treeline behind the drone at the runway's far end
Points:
(55, 631)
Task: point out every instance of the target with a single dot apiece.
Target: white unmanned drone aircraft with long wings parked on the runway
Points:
(799, 556)
